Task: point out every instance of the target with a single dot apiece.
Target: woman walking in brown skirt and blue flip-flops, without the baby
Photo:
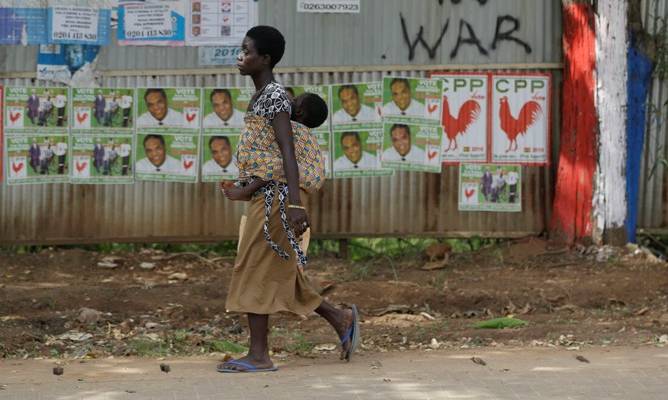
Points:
(267, 279)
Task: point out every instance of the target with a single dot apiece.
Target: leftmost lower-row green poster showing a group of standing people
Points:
(37, 157)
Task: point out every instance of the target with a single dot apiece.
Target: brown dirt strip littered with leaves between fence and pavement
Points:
(64, 303)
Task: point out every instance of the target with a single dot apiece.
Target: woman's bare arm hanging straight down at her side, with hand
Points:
(283, 130)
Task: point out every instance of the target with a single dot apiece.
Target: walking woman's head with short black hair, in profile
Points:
(262, 48)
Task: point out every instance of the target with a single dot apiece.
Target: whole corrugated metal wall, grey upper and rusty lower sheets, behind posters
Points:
(337, 48)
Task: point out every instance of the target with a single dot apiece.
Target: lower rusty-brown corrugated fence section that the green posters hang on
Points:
(407, 203)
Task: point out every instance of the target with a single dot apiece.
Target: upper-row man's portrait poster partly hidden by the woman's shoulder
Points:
(224, 109)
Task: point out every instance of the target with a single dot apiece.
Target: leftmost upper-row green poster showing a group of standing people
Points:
(28, 108)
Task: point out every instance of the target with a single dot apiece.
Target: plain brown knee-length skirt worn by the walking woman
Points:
(262, 281)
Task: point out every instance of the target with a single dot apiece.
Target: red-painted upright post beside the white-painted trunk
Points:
(572, 209)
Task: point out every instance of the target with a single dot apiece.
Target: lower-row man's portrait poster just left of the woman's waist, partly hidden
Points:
(219, 160)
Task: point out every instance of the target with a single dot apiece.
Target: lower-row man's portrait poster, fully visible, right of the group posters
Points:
(169, 157)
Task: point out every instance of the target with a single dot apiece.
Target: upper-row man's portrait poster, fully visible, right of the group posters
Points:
(160, 108)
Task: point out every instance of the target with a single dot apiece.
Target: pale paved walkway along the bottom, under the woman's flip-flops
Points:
(532, 374)
